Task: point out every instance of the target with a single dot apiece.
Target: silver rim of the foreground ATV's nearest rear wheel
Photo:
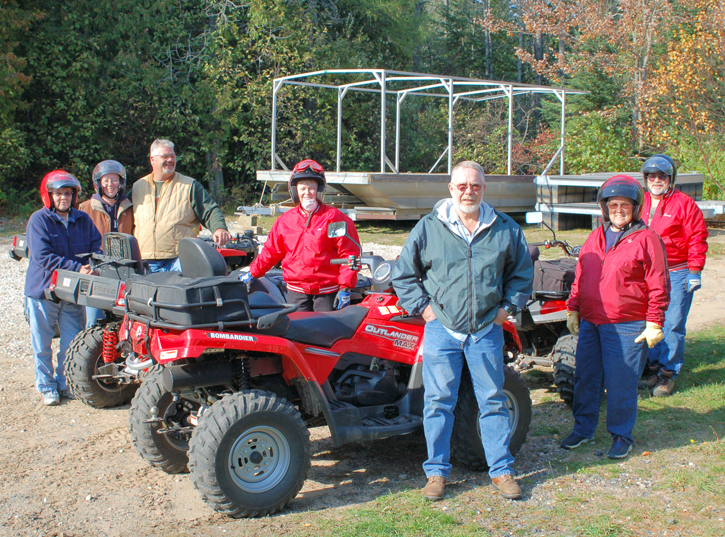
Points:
(259, 459)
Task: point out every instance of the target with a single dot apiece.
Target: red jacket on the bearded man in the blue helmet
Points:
(678, 220)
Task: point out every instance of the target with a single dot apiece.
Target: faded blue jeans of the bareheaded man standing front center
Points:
(443, 358)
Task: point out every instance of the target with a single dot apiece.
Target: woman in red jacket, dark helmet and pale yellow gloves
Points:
(620, 295)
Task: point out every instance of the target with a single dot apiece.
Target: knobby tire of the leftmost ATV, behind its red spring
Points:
(83, 358)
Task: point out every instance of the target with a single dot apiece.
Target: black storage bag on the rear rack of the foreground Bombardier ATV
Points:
(196, 301)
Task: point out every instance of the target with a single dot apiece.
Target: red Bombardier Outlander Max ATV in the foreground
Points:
(238, 377)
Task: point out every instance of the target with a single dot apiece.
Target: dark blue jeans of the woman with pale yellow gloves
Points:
(607, 357)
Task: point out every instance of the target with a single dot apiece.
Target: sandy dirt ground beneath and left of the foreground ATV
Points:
(72, 470)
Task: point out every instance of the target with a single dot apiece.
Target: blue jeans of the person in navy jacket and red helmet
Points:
(43, 315)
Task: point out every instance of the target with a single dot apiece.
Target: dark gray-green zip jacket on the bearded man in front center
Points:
(464, 283)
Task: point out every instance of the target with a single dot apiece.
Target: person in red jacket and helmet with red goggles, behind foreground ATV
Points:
(299, 240)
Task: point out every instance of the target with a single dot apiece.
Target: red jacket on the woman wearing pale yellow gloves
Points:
(628, 283)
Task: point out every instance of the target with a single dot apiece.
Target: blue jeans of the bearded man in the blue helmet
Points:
(669, 354)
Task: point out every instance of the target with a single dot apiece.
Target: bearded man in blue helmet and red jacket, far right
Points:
(678, 220)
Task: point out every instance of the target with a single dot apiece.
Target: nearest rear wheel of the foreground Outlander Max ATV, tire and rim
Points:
(250, 454)
